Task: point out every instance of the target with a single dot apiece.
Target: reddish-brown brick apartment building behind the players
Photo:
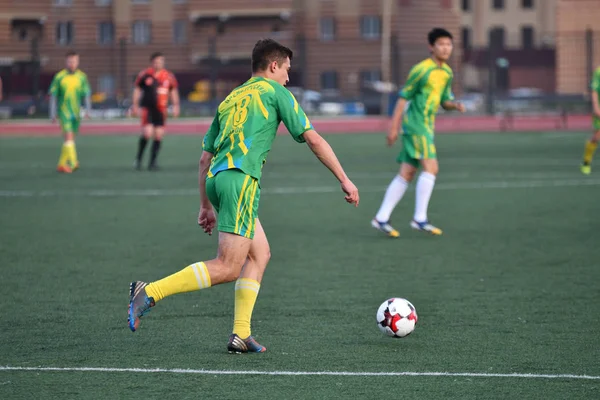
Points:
(340, 44)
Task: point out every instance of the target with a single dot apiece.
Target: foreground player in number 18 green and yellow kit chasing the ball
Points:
(234, 152)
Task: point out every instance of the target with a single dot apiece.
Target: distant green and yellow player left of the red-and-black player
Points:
(69, 87)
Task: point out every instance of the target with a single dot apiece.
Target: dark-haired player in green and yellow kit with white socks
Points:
(429, 84)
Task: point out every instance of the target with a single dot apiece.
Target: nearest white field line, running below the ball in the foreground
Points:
(297, 373)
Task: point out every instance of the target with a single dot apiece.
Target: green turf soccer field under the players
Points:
(511, 287)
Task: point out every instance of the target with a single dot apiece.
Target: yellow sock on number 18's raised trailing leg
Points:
(191, 278)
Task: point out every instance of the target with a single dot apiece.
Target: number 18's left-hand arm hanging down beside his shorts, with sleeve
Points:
(206, 216)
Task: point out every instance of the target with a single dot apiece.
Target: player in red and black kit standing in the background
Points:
(153, 87)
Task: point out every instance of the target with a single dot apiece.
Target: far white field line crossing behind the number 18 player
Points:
(295, 189)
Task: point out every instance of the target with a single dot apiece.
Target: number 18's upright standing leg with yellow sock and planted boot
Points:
(246, 293)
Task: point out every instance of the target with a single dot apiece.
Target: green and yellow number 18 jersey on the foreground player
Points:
(246, 123)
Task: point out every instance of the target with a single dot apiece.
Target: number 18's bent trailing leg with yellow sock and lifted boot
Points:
(226, 267)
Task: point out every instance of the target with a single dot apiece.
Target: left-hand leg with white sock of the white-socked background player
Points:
(393, 195)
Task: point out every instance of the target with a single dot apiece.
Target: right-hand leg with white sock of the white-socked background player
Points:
(424, 188)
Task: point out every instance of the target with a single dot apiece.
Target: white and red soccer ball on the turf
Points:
(397, 317)
